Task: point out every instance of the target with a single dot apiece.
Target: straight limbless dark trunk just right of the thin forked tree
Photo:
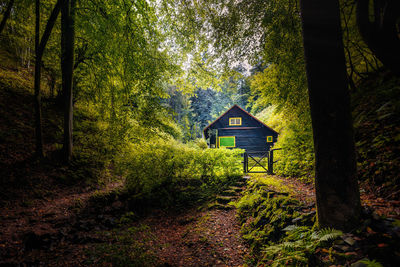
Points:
(67, 66)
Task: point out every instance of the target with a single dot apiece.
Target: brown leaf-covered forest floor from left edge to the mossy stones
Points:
(94, 227)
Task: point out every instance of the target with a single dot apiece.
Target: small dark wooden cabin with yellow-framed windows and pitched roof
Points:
(238, 128)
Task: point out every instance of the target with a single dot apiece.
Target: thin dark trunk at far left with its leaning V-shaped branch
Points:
(39, 49)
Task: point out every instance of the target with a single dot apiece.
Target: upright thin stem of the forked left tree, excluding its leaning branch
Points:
(38, 110)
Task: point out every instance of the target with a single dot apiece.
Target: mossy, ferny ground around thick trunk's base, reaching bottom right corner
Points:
(280, 228)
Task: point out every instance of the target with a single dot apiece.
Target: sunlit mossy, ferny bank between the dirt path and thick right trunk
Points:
(276, 229)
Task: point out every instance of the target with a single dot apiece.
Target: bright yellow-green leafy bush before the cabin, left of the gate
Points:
(163, 171)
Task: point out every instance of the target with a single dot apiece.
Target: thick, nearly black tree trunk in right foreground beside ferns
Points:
(338, 199)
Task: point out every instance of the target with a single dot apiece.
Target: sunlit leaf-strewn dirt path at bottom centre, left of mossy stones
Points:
(197, 238)
